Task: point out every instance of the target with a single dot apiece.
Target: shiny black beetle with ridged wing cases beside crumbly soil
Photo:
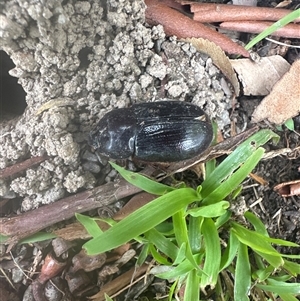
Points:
(163, 131)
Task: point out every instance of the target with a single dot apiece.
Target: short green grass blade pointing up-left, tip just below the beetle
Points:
(141, 181)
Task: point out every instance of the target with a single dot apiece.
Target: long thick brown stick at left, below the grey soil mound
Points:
(31, 222)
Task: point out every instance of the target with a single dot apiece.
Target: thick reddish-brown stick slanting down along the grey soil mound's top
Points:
(177, 24)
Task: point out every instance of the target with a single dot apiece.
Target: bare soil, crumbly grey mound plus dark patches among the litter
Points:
(70, 62)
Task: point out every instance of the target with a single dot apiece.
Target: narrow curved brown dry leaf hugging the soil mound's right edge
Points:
(219, 58)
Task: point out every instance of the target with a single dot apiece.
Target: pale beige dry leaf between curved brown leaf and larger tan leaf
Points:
(258, 78)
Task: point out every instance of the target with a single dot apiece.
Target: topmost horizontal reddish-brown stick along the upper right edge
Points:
(209, 12)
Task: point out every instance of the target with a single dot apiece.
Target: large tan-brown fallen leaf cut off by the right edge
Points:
(284, 100)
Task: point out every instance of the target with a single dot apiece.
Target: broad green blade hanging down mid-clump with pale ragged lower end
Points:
(212, 253)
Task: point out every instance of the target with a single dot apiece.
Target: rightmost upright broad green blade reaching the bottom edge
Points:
(242, 277)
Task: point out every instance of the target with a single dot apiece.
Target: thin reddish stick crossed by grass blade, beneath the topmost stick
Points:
(288, 31)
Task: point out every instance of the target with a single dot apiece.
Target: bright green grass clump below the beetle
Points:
(196, 241)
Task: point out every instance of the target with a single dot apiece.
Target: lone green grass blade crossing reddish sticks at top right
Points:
(280, 23)
